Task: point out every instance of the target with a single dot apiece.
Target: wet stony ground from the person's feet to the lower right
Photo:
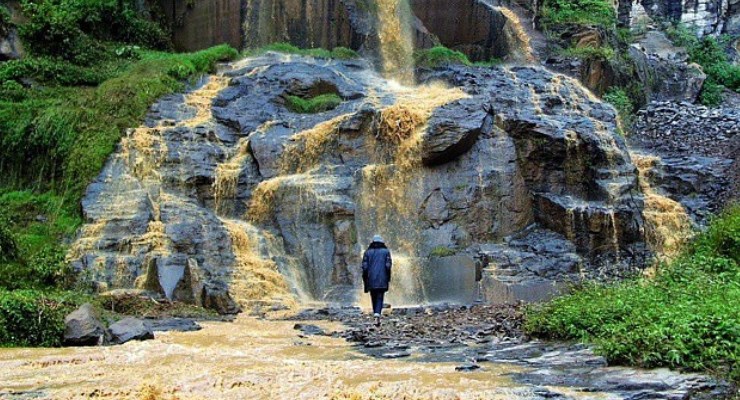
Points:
(478, 337)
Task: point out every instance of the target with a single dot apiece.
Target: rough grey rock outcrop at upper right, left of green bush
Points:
(664, 70)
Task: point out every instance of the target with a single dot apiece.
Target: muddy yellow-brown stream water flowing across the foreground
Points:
(246, 359)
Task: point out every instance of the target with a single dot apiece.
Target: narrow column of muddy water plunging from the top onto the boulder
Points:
(396, 40)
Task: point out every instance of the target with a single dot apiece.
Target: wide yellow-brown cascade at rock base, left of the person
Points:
(254, 280)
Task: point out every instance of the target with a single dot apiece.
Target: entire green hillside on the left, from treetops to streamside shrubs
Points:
(93, 69)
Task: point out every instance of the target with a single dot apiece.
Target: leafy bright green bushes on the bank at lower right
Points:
(684, 317)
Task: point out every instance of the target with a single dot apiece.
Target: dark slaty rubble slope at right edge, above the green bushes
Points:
(699, 149)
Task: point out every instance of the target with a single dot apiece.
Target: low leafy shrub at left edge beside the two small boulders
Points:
(33, 318)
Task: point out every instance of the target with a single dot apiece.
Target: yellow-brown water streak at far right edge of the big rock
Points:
(667, 225)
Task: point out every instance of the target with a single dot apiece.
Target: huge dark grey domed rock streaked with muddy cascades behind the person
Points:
(228, 198)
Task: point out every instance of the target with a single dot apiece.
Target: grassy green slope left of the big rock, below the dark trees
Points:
(54, 139)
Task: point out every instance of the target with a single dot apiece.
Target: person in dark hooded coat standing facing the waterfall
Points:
(376, 273)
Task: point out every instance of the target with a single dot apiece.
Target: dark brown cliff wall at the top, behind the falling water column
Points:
(482, 29)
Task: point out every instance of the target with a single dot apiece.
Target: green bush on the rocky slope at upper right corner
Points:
(709, 53)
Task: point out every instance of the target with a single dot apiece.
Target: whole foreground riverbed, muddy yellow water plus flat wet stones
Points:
(257, 358)
